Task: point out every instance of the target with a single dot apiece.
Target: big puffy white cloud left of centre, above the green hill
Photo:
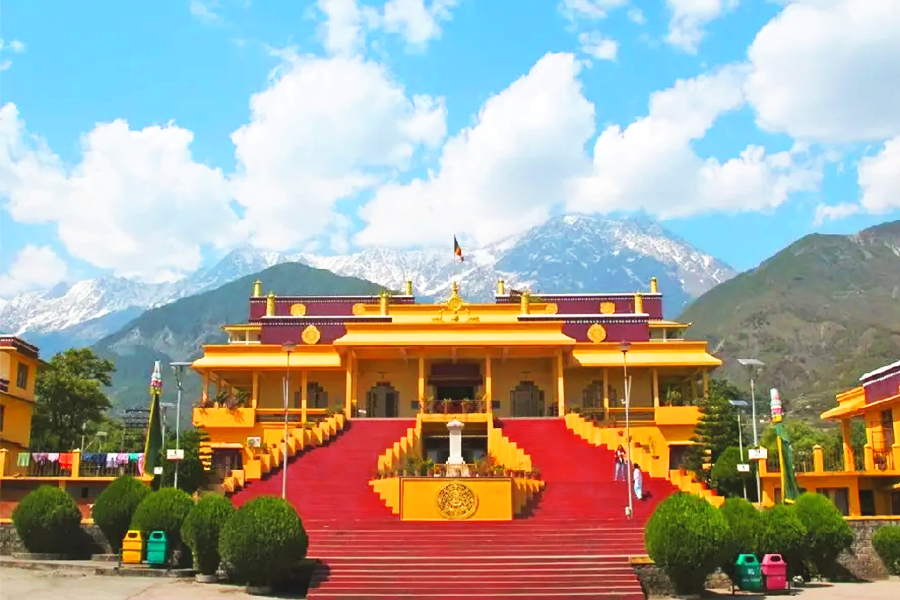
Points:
(324, 131)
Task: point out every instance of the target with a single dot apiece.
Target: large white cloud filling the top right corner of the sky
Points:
(829, 71)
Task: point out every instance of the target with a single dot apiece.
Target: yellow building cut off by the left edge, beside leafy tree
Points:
(18, 372)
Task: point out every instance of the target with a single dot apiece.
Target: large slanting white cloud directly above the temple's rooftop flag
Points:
(499, 176)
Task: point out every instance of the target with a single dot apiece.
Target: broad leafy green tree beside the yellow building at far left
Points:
(70, 395)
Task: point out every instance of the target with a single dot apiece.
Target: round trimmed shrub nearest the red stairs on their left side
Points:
(263, 542)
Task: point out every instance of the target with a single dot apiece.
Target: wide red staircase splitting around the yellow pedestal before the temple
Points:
(573, 543)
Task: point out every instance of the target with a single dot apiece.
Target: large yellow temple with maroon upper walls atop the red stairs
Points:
(391, 357)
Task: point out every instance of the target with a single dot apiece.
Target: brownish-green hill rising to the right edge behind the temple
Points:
(820, 313)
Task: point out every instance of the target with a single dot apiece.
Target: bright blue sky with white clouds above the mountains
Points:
(129, 143)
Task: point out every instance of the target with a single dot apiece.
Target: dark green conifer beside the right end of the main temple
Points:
(717, 429)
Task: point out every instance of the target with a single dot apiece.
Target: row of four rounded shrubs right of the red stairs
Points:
(689, 538)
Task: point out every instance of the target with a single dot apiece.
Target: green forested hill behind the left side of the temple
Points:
(176, 331)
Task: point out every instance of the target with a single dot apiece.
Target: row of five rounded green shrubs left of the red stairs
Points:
(262, 543)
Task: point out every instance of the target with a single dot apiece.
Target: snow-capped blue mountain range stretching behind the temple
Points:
(569, 253)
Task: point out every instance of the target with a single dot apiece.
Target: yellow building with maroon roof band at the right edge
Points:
(867, 485)
